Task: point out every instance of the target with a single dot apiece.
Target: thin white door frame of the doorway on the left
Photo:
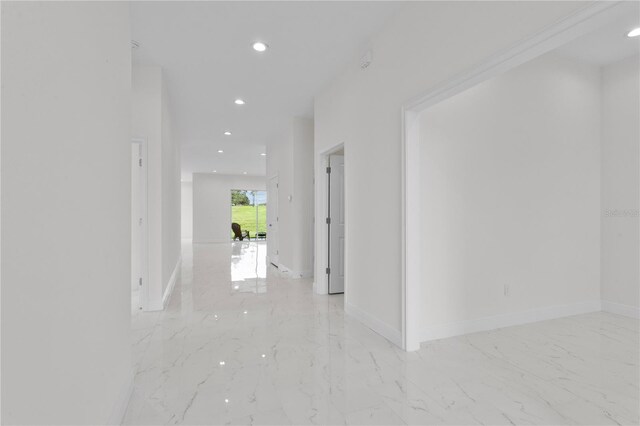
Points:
(144, 232)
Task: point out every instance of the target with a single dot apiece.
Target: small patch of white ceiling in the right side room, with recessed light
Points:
(608, 44)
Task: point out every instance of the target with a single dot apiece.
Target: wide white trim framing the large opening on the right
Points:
(585, 20)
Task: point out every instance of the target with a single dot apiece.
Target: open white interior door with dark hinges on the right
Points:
(336, 224)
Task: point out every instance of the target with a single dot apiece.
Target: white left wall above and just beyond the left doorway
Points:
(151, 121)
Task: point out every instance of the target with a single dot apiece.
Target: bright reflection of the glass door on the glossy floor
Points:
(249, 266)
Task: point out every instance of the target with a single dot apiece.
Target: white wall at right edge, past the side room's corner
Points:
(620, 155)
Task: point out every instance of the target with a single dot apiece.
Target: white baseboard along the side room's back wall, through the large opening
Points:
(507, 320)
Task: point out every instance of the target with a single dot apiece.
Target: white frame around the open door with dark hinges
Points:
(321, 282)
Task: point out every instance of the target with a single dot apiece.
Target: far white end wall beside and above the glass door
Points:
(212, 204)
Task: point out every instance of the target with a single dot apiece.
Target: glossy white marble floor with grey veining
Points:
(240, 344)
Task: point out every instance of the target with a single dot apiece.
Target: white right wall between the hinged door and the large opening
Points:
(425, 44)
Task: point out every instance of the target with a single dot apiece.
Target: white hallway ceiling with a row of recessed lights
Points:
(205, 51)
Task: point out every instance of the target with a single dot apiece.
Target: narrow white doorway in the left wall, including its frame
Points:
(139, 254)
